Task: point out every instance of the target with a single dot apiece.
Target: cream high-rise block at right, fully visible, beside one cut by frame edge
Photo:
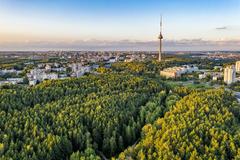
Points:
(229, 74)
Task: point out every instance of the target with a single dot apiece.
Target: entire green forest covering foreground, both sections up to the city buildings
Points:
(126, 112)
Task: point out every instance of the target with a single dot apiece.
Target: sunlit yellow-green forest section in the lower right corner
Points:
(203, 125)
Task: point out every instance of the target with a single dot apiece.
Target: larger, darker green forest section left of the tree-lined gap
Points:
(73, 118)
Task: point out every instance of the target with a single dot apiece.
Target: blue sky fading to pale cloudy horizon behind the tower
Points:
(71, 24)
